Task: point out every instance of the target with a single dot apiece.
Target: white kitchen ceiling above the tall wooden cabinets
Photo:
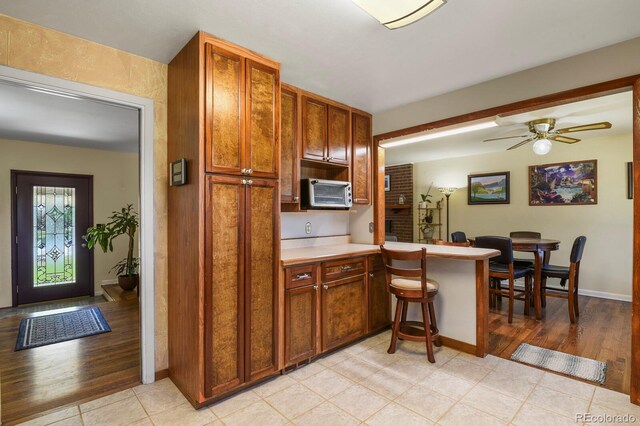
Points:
(332, 47)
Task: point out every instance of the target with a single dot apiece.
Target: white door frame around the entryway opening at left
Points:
(146, 109)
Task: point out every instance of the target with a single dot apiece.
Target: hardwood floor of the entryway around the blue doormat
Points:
(39, 379)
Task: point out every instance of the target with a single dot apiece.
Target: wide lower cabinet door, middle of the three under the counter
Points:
(344, 311)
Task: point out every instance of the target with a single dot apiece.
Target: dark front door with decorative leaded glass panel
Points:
(51, 213)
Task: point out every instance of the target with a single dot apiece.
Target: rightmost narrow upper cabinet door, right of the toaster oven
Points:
(361, 167)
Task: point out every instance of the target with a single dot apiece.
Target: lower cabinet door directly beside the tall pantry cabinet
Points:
(300, 319)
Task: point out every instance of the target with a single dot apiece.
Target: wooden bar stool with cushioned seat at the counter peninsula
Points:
(412, 286)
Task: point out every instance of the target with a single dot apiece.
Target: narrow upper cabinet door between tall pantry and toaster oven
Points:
(289, 142)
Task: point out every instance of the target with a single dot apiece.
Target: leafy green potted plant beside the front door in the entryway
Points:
(124, 222)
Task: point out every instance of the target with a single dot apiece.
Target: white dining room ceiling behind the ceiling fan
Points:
(616, 109)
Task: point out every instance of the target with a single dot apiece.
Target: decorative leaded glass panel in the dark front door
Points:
(54, 251)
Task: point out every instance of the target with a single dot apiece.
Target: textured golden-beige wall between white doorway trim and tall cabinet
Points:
(41, 50)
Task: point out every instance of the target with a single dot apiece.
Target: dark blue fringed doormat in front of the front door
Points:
(55, 328)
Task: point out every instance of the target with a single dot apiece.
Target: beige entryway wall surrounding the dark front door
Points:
(115, 184)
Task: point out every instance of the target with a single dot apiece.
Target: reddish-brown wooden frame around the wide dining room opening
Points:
(629, 83)
